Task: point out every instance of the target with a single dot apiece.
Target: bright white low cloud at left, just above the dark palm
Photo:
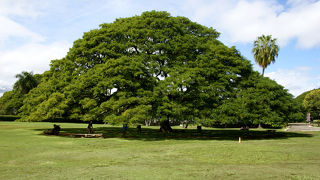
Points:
(30, 57)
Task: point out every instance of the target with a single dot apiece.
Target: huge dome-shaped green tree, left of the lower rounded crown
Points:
(150, 67)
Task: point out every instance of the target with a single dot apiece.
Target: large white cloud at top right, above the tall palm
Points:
(244, 20)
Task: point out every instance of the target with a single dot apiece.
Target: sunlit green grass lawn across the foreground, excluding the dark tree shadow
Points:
(214, 154)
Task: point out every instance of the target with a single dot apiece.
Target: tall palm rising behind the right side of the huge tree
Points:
(265, 50)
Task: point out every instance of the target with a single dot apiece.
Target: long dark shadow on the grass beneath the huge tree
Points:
(151, 134)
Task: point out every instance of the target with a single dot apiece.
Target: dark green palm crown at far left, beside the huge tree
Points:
(26, 81)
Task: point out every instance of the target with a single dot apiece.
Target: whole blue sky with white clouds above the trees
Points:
(33, 32)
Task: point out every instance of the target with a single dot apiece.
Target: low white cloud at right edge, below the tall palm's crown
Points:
(296, 80)
